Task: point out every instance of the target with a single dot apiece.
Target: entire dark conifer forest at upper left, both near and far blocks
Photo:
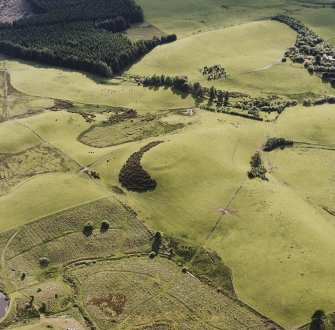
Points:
(82, 35)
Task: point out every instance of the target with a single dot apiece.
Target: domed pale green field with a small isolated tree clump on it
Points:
(249, 53)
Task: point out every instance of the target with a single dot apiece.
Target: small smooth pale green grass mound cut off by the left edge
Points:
(16, 138)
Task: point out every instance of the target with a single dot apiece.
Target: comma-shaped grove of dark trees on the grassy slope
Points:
(133, 177)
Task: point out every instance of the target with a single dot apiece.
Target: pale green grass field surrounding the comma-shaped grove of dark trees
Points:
(197, 170)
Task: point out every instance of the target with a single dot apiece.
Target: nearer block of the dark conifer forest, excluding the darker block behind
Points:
(79, 46)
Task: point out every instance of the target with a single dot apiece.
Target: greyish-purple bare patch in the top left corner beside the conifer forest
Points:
(11, 10)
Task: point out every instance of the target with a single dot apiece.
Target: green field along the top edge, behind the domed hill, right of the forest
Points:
(191, 16)
